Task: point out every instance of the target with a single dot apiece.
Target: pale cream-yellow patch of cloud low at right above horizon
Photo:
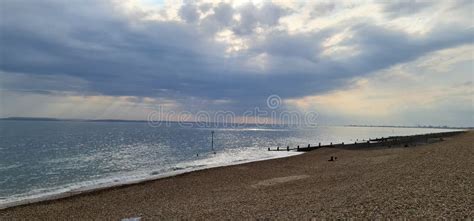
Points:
(406, 94)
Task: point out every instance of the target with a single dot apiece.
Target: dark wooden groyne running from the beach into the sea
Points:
(392, 141)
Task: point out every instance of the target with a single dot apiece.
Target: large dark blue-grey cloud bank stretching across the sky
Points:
(118, 55)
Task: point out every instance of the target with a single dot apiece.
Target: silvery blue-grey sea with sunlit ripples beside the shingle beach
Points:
(43, 158)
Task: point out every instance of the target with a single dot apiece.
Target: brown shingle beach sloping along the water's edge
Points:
(430, 181)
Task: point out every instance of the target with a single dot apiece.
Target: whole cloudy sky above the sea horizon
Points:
(350, 62)
